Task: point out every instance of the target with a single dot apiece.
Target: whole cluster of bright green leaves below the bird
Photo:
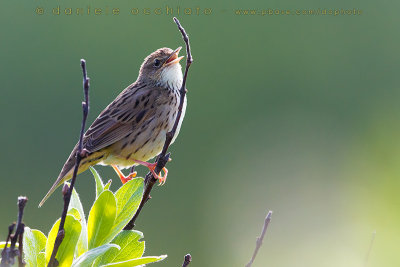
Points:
(99, 242)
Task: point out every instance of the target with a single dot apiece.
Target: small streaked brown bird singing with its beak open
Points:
(132, 129)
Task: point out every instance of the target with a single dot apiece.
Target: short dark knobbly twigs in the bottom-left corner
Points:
(8, 254)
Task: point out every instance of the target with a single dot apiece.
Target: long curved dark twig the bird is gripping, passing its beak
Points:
(163, 157)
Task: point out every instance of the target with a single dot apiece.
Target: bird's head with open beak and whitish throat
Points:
(162, 67)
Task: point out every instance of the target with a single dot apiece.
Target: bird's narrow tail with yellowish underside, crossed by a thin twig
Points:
(68, 169)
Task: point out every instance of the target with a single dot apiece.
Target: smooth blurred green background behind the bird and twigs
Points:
(292, 113)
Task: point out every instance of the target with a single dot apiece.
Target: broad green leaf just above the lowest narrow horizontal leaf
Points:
(131, 248)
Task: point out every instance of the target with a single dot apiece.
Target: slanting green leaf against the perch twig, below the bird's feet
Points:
(128, 198)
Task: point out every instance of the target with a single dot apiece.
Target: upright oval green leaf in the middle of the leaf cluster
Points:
(101, 219)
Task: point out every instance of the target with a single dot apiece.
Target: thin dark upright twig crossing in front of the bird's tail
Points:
(81, 153)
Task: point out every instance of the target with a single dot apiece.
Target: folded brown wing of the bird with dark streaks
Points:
(125, 114)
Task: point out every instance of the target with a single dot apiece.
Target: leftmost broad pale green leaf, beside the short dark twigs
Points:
(34, 242)
